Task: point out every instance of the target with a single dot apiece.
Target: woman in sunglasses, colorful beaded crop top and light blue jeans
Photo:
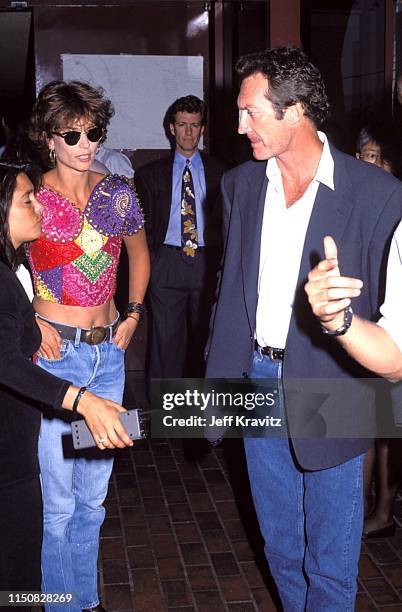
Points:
(86, 217)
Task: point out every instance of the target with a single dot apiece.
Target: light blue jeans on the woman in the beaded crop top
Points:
(74, 484)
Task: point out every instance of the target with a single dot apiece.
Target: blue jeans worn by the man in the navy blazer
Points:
(311, 521)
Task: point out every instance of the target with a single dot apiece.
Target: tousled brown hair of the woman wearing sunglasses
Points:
(60, 104)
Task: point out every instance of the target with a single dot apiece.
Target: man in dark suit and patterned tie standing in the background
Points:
(183, 281)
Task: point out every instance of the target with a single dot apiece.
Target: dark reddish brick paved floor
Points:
(181, 535)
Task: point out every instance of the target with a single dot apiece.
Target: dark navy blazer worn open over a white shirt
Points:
(361, 214)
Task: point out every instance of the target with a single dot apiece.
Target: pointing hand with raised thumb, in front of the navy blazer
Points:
(328, 292)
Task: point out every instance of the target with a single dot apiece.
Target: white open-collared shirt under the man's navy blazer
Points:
(282, 240)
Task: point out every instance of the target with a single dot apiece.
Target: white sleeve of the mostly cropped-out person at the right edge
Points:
(391, 310)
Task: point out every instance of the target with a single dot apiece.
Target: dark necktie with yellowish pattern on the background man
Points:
(189, 235)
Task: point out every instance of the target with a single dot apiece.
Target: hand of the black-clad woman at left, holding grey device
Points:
(102, 417)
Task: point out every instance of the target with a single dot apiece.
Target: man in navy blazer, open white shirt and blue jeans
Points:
(306, 484)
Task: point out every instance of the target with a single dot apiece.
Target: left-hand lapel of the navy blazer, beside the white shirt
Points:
(251, 212)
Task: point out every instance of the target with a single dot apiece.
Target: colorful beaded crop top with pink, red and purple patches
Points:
(75, 260)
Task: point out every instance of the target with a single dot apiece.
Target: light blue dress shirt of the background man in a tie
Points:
(173, 234)
